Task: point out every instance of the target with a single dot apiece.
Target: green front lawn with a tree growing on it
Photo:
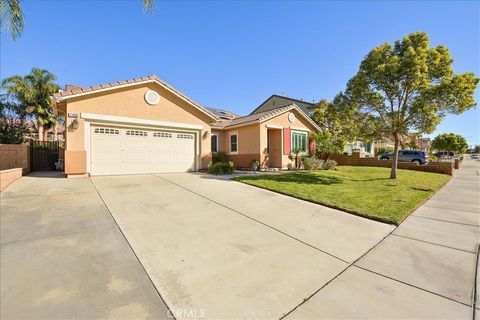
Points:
(365, 191)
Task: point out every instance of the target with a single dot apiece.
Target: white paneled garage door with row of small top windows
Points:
(129, 151)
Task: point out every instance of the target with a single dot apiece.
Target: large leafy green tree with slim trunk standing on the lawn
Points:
(408, 86)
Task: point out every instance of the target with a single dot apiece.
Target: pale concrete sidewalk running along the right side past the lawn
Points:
(424, 269)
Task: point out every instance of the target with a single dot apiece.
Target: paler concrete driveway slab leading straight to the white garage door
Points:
(222, 249)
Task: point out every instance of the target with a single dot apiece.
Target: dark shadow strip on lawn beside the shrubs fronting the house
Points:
(300, 178)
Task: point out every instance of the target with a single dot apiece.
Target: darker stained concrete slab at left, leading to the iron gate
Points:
(64, 257)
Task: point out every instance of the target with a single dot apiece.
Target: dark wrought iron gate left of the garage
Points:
(43, 155)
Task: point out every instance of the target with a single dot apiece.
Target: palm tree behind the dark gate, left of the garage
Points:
(34, 91)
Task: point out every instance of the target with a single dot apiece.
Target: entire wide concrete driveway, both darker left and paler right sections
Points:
(124, 246)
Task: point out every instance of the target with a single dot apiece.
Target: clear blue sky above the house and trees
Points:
(234, 55)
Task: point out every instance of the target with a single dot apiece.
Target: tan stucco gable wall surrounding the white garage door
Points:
(130, 102)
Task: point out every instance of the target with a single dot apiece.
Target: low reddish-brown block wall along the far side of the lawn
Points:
(357, 160)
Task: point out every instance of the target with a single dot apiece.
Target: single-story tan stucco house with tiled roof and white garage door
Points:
(144, 125)
